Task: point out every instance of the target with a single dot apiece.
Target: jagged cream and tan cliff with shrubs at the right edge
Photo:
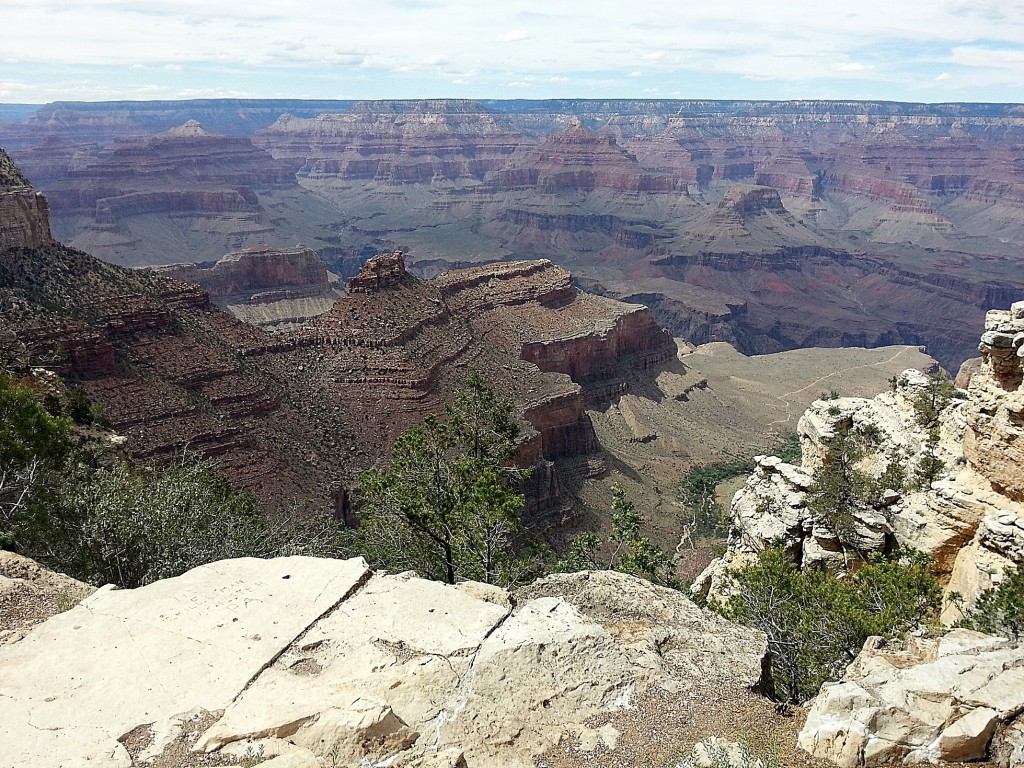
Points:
(968, 515)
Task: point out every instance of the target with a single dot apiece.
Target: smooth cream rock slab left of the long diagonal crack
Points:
(144, 656)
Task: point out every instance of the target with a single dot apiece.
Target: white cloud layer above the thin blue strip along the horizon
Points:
(795, 41)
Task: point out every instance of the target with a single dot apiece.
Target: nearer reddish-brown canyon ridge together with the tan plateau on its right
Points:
(294, 414)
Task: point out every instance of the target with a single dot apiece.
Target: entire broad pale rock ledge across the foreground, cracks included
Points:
(306, 658)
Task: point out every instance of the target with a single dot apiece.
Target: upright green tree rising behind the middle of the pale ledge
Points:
(447, 504)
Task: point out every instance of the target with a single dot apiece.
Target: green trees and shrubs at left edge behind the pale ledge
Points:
(67, 502)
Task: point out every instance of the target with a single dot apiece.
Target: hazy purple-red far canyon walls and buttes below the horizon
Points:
(770, 226)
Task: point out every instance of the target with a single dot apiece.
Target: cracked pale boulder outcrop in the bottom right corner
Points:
(954, 700)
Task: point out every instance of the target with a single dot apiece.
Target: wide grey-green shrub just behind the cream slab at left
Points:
(133, 526)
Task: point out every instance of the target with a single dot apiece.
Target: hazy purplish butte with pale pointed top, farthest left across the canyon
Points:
(186, 191)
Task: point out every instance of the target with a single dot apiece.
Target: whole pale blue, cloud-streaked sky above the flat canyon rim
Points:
(906, 51)
